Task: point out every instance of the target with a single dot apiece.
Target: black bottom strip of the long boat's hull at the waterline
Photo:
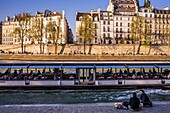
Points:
(87, 87)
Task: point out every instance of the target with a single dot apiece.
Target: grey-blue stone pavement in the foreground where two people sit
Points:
(158, 107)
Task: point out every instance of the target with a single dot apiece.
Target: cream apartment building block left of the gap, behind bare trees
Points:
(10, 24)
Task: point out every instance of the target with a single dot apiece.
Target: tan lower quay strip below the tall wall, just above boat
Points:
(54, 58)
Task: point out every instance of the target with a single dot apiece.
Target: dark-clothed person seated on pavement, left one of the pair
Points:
(134, 103)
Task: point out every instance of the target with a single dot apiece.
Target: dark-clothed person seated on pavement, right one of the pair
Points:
(145, 101)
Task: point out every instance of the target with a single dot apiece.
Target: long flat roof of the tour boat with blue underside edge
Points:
(85, 65)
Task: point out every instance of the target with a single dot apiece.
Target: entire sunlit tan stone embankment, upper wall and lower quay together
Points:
(93, 53)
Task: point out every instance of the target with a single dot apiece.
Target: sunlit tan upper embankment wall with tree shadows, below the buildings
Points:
(90, 49)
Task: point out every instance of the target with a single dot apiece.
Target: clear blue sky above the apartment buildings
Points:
(12, 7)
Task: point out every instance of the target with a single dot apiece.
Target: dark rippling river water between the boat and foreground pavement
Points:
(75, 96)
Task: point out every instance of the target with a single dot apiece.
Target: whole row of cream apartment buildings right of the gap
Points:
(114, 24)
